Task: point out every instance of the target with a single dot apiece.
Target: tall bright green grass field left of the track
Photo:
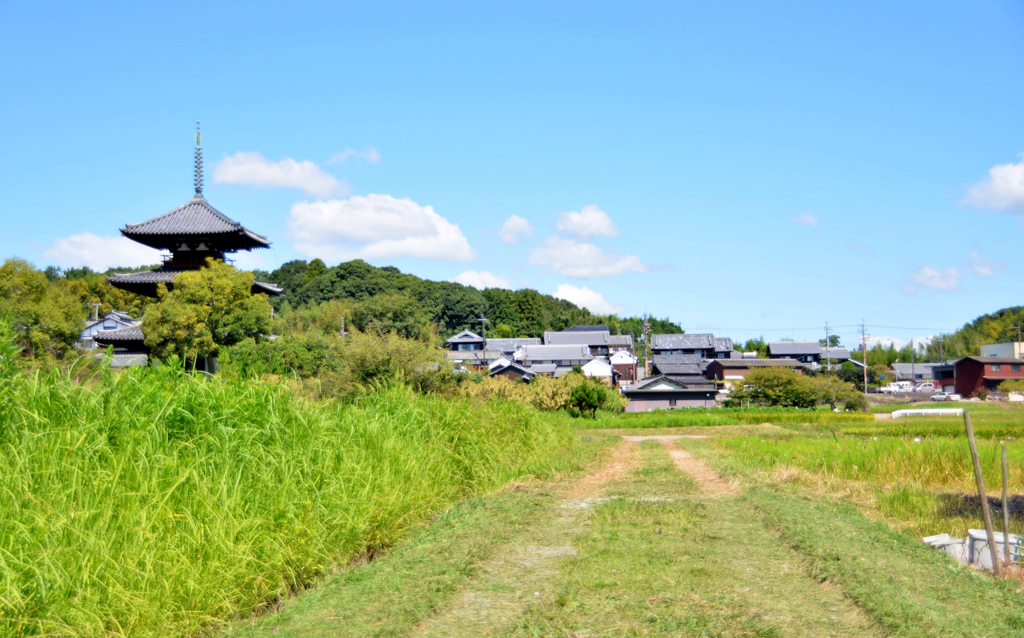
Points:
(158, 502)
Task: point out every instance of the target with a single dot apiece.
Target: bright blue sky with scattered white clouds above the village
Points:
(748, 169)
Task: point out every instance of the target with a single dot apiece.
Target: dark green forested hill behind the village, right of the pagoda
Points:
(453, 307)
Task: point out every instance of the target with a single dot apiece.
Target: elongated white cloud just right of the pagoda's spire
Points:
(252, 169)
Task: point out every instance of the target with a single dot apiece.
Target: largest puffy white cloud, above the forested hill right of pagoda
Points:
(375, 227)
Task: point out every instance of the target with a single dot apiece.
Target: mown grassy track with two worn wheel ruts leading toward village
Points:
(655, 543)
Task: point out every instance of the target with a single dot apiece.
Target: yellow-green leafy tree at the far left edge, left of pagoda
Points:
(47, 318)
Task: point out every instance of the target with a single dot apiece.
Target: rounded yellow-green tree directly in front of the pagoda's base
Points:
(206, 310)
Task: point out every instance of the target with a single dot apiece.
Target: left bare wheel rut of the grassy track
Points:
(523, 573)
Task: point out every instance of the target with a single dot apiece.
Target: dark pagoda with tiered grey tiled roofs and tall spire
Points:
(191, 234)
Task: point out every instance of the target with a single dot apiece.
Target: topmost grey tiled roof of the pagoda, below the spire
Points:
(196, 219)
